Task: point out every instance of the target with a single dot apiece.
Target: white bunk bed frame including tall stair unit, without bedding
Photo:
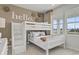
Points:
(31, 26)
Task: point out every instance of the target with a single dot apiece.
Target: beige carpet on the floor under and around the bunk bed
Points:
(35, 50)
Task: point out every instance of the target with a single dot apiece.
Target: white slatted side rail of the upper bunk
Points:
(37, 26)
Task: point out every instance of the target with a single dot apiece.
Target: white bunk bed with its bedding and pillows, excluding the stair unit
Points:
(43, 41)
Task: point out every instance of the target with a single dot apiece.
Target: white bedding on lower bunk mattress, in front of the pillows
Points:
(51, 42)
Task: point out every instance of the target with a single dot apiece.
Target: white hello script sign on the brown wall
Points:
(21, 17)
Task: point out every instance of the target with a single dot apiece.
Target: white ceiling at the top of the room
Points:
(38, 7)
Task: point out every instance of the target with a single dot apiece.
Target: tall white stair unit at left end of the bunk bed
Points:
(18, 39)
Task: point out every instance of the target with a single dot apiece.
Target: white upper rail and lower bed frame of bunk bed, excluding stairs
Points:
(42, 26)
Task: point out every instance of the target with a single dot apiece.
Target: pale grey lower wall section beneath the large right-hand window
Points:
(72, 42)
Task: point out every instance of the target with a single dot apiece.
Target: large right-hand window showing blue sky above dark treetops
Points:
(73, 24)
